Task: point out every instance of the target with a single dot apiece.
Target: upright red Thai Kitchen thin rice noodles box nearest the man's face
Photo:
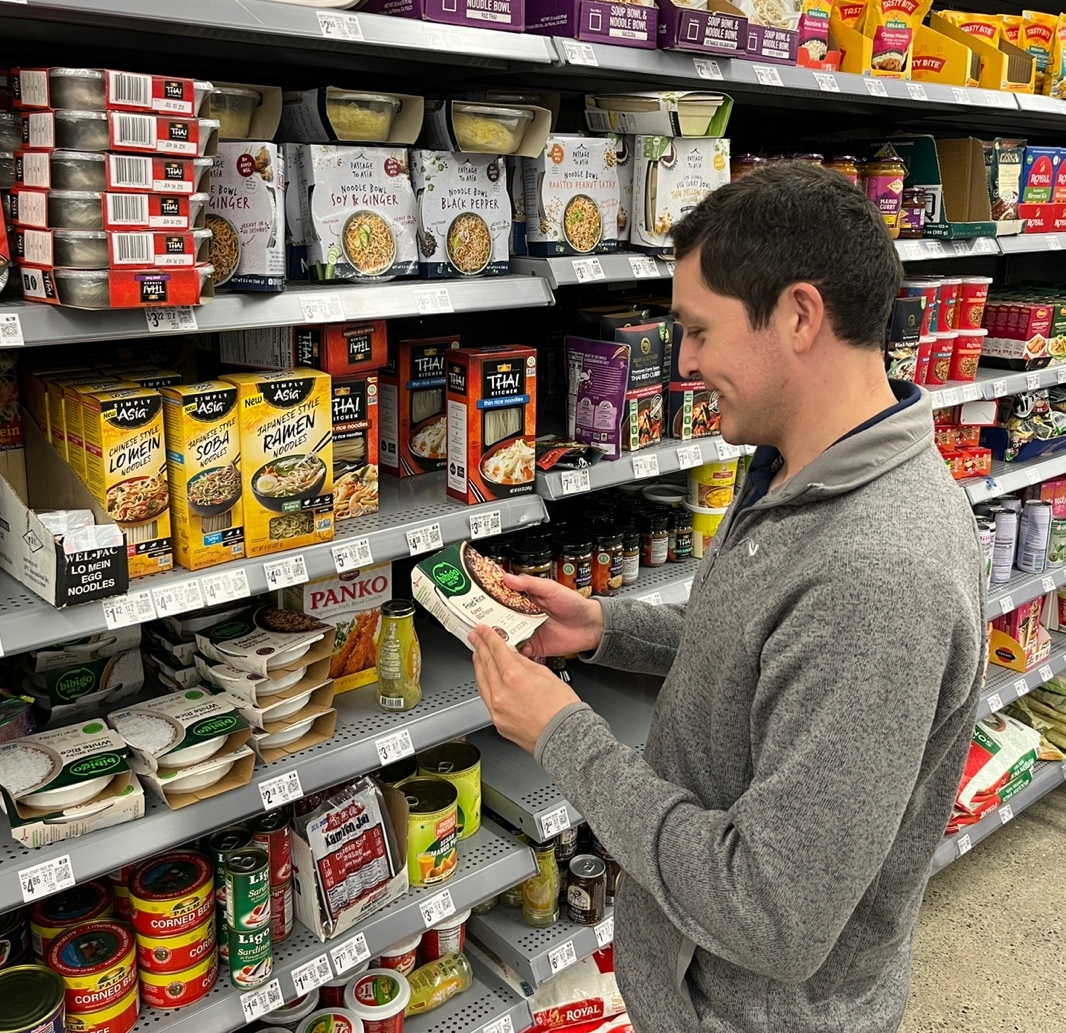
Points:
(492, 423)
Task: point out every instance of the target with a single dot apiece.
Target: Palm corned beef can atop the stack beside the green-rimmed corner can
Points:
(98, 965)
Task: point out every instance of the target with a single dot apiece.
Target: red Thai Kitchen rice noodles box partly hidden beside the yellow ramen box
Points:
(356, 447)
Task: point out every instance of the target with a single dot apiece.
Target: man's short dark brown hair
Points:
(796, 222)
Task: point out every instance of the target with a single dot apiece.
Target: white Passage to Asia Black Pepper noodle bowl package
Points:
(464, 214)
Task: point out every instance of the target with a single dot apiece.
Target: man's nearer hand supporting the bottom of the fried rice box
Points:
(522, 697)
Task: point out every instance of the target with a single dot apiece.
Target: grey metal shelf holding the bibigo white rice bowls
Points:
(450, 707)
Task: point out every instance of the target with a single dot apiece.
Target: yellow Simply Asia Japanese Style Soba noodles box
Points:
(203, 449)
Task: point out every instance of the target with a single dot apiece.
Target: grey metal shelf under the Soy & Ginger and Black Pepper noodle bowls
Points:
(49, 325)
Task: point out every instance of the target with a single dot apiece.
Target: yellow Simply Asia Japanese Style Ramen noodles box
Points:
(286, 459)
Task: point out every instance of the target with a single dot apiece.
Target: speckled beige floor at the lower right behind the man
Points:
(989, 956)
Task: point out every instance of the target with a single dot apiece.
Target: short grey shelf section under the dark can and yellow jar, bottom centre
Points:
(538, 955)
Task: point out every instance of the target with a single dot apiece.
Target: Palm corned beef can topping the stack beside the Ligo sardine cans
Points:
(172, 894)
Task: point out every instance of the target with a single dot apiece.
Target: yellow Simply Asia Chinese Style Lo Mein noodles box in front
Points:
(126, 472)
